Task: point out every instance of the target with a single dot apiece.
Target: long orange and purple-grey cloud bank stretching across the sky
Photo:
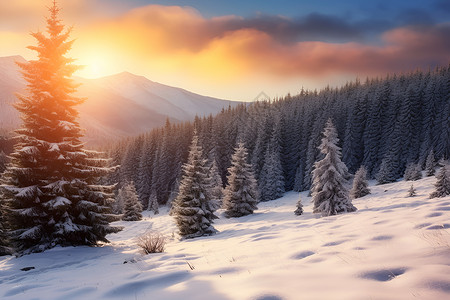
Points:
(273, 44)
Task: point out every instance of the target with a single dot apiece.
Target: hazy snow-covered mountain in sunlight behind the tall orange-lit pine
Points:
(117, 106)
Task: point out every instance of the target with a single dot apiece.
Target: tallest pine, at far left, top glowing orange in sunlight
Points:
(51, 184)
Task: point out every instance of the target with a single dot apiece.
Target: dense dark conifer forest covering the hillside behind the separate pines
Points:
(395, 121)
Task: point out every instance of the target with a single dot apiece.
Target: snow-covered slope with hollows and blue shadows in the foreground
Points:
(393, 247)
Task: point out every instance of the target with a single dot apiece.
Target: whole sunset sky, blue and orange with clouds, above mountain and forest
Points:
(238, 49)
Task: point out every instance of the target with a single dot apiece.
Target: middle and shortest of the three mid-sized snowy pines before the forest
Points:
(241, 194)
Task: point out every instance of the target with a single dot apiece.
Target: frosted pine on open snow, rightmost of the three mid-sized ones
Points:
(330, 186)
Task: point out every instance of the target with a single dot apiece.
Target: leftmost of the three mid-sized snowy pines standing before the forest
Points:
(194, 210)
